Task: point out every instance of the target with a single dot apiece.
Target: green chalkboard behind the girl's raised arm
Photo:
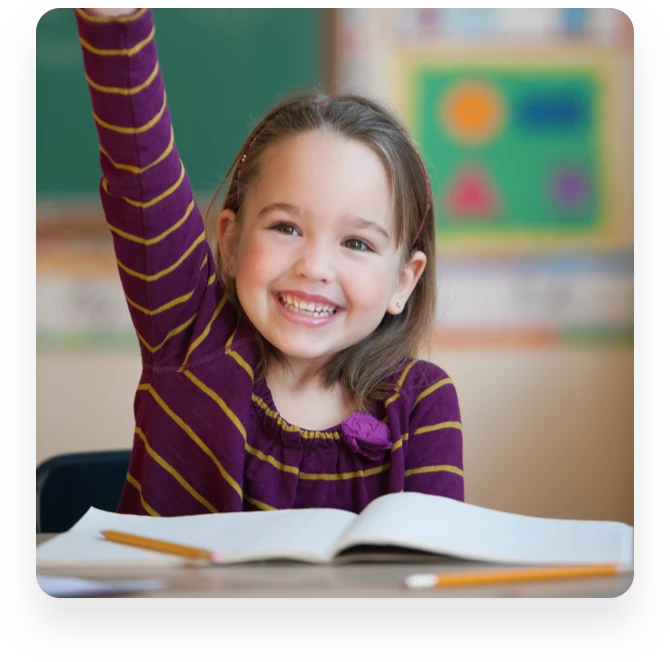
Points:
(223, 68)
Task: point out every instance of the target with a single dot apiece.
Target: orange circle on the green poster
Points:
(473, 112)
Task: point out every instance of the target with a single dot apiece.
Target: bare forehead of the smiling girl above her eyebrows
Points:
(326, 174)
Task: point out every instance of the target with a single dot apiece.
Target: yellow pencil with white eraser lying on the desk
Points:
(509, 575)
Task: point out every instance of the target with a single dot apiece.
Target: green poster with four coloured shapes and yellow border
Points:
(517, 155)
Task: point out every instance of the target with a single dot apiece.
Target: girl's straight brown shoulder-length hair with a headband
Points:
(364, 367)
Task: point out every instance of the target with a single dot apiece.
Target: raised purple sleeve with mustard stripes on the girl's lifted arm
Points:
(164, 262)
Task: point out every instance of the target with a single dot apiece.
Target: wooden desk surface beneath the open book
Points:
(353, 581)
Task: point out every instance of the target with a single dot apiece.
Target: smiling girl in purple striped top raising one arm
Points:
(278, 344)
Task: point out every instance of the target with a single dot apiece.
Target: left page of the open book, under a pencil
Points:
(301, 535)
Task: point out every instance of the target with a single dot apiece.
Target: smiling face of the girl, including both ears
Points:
(315, 260)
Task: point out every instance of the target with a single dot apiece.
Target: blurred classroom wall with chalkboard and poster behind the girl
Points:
(525, 119)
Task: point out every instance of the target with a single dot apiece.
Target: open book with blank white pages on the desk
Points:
(405, 523)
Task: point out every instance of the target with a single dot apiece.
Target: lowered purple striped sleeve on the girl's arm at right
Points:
(434, 458)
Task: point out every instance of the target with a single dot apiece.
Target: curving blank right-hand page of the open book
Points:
(444, 526)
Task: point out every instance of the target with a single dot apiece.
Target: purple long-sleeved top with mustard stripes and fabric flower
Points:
(208, 436)
